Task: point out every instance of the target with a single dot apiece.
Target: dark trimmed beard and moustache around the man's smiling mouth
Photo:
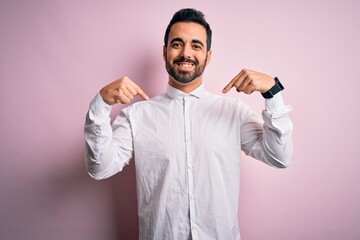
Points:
(185, 76)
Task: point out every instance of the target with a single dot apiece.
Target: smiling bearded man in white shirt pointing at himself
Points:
(186, 143)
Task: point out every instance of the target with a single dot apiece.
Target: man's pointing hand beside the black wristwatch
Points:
(248, 81)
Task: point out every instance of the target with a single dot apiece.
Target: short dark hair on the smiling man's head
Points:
(190, 15)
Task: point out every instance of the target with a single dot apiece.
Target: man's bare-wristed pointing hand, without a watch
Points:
(122, 91)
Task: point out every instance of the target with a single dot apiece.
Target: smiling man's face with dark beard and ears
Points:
(186, 55)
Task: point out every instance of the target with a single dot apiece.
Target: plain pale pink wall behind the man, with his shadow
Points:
(55, 55)
